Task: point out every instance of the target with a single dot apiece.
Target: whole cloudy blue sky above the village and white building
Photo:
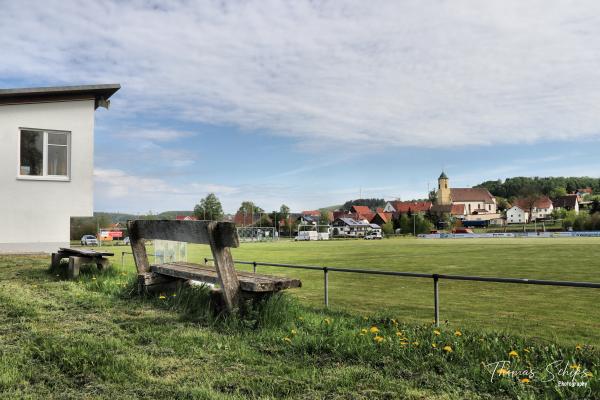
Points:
(313, 103)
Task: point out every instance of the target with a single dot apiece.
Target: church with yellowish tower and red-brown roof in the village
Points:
(464, 203)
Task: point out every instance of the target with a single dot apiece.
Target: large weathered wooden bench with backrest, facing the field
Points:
(221, 236)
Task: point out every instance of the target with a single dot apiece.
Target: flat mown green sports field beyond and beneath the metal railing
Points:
(564, 314)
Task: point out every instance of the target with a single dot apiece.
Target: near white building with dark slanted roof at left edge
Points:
(46, 163)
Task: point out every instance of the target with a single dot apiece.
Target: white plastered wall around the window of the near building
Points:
(35, 214)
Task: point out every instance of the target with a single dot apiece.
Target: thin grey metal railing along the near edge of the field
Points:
(435, 277)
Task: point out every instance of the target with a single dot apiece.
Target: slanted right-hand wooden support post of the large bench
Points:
(230, 286)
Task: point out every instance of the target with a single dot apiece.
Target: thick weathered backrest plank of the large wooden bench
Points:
(184, 231)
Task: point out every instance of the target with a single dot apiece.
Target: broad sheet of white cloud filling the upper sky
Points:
(427, 73)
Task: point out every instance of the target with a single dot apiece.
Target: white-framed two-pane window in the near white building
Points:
(44, 154)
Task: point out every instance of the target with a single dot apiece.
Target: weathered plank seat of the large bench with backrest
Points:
(249, 282)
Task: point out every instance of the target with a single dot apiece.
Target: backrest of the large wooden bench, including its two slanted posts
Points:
(219, 235)
